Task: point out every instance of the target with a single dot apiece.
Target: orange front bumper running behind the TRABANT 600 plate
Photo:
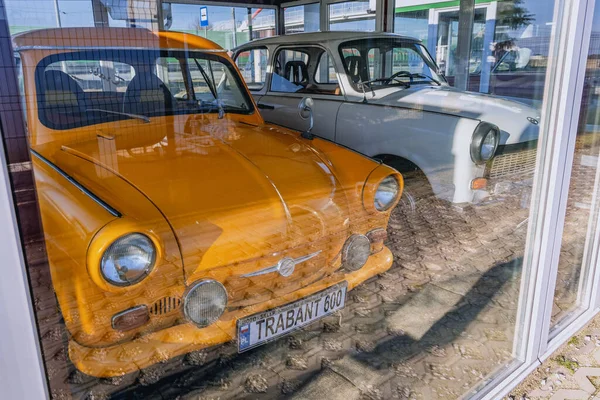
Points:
(123, 358)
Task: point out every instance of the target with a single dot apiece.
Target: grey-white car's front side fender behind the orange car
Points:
(438, 143)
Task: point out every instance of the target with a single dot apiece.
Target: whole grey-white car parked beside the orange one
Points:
(382, 95)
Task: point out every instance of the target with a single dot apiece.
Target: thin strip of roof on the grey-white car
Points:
(320, 37)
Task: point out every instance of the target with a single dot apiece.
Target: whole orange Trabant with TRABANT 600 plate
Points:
(175, 218)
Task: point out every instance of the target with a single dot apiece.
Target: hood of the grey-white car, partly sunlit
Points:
(510, 116)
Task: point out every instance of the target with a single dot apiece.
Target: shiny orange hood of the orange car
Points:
(230, 191)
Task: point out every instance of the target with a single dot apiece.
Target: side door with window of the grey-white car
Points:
(298, 72)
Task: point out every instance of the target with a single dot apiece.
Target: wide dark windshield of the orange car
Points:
(91, 87)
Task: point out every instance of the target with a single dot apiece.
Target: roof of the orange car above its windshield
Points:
(126, 38)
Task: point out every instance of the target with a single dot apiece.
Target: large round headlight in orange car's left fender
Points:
(128, 260)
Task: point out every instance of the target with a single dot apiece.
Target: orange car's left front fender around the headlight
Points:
(73, 224)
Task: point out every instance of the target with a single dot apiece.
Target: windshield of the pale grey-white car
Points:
(376, 63)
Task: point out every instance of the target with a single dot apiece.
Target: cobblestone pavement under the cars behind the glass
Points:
(434, 326)
